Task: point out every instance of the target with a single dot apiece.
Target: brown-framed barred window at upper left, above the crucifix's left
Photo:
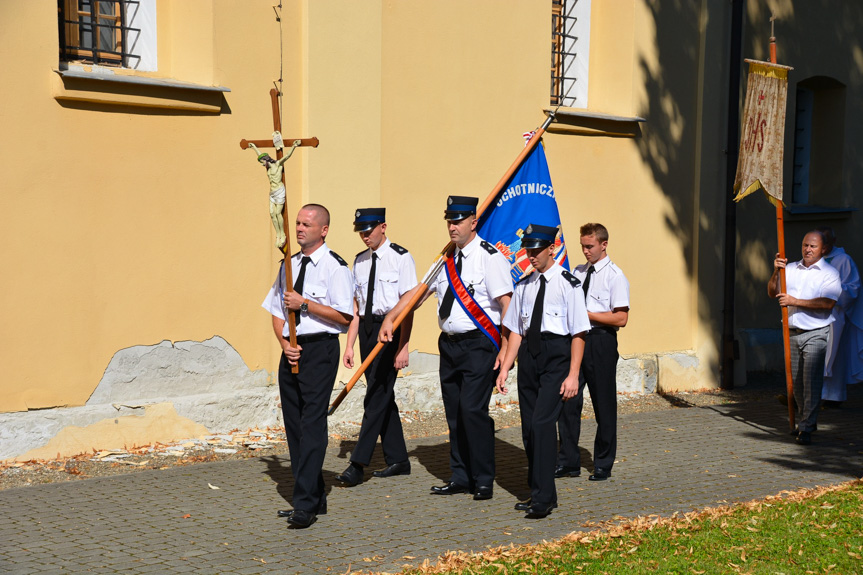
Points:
(98, 32)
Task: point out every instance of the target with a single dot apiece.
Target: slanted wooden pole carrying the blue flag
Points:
(420, 291)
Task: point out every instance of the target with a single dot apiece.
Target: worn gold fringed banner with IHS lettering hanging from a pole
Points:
(762, 140)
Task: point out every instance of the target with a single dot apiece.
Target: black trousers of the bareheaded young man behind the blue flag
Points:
(599, 372)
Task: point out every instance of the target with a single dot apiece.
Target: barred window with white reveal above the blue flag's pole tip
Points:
(570, 52)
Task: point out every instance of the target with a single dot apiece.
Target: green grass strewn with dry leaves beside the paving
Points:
(811, 531)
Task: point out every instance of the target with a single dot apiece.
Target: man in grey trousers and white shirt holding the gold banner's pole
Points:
(812, 289)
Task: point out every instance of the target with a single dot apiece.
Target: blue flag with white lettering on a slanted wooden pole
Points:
(528, 198)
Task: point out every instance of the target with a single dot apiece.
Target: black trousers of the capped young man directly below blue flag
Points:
(540, 402)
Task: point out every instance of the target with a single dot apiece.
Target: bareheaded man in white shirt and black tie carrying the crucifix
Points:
(322, 302)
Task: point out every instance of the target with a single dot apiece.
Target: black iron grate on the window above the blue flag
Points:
(563, 53)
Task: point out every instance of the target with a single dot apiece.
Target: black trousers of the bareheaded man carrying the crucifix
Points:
(305, 400)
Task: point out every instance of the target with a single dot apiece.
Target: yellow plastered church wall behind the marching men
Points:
(133, 226)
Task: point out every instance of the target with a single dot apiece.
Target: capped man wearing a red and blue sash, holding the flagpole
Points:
(472, 297)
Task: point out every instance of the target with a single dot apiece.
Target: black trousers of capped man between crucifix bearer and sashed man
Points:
(381, 414)
